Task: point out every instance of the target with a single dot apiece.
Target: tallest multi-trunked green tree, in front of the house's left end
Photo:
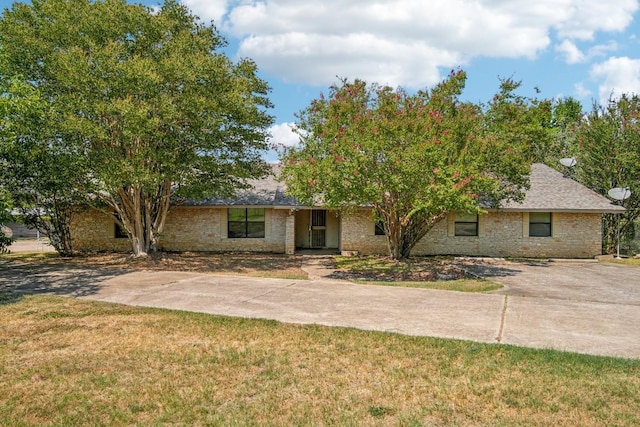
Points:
(142, 101)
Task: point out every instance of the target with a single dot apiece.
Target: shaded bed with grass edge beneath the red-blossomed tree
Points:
(418, 272)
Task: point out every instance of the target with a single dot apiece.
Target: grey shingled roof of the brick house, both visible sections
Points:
(549, 190)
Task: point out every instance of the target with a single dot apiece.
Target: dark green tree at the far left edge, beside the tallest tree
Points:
(41, 178)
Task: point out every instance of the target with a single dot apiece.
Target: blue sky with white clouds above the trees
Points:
(585, 49)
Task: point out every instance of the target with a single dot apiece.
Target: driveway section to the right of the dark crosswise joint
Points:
(587, 307)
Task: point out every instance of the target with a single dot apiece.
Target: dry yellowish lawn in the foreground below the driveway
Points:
(75, 362)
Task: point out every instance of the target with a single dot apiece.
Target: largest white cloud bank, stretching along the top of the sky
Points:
(406, 42)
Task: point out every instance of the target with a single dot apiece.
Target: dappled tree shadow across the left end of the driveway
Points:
(53, 279)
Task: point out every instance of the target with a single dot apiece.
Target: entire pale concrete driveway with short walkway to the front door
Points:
(584, 307)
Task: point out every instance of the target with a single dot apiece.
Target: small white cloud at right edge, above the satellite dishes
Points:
(617, 76)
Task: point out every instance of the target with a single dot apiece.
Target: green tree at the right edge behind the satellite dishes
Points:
(608, 154)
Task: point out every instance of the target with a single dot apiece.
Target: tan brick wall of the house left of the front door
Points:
(186, 229)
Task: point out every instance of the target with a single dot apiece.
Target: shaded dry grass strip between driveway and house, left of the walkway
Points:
(253, 264)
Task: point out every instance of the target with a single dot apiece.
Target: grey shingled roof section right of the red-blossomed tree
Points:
(550, 190)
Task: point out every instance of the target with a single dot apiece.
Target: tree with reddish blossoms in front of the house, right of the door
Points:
(412, 157)
